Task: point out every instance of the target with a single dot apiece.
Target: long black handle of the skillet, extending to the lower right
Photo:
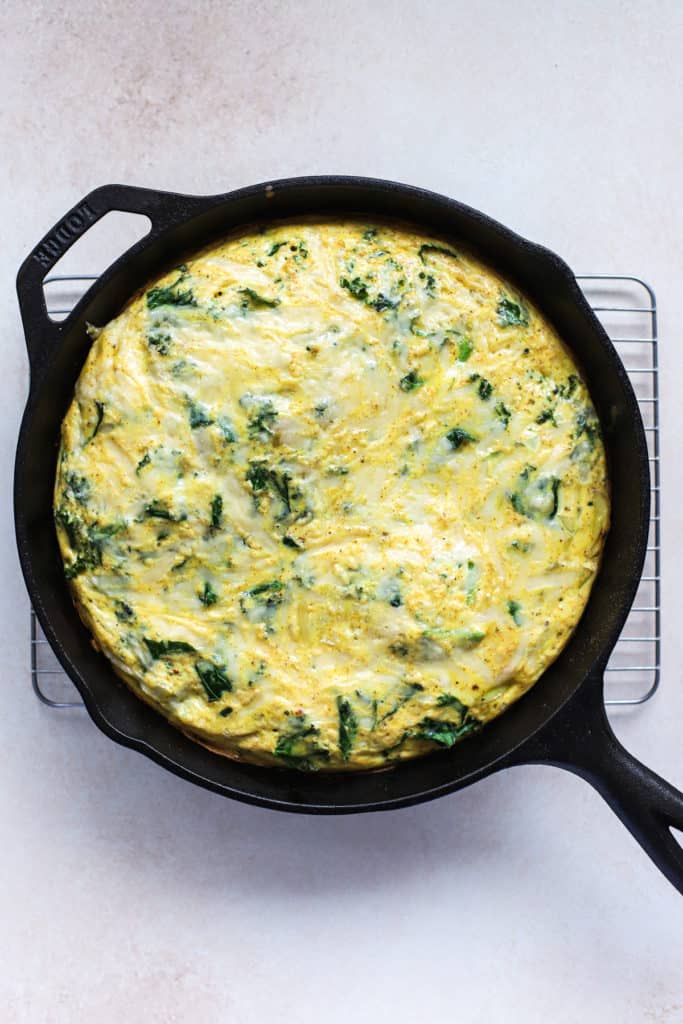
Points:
(581, 740)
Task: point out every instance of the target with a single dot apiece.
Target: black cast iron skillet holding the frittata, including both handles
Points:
(562, 721)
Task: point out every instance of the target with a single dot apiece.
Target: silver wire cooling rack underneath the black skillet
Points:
(627, 308)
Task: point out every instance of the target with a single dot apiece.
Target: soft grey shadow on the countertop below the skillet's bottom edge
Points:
(137, 814)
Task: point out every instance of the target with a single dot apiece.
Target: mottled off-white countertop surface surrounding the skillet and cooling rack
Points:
(130, 895)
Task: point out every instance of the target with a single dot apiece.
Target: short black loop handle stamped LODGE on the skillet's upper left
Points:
(41, 332)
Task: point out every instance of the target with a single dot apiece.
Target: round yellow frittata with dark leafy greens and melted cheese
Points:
(331, 495)
